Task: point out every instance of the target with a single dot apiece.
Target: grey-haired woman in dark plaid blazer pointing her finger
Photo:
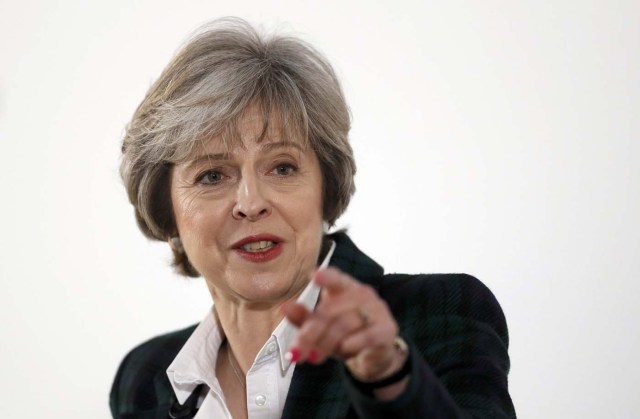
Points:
(239, 157)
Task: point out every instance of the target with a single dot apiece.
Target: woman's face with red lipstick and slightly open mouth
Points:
(250, 218)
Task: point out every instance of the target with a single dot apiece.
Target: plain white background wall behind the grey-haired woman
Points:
(498, 138)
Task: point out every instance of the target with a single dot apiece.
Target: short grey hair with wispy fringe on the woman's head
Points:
(205, 90)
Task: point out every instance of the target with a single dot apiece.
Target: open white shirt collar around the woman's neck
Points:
(195, 363)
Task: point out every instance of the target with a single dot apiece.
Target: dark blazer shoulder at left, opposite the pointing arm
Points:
(141, 382)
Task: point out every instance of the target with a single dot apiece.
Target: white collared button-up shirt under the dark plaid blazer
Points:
(268, 379)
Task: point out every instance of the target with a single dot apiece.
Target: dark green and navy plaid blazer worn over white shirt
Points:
(458, 344)
